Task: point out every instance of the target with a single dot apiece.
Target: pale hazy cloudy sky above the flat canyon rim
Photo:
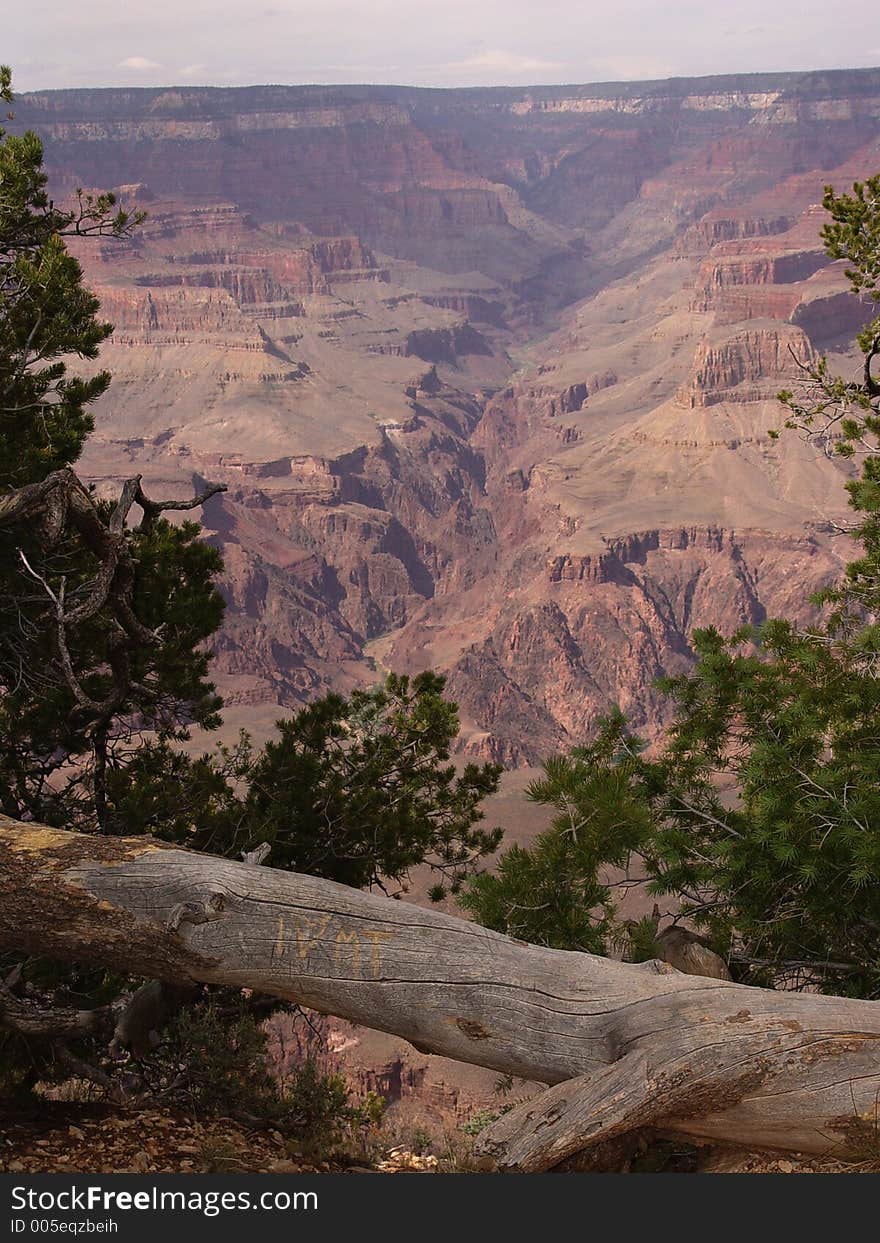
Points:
(427, 43)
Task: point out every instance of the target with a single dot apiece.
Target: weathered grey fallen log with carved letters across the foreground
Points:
(628, 1046)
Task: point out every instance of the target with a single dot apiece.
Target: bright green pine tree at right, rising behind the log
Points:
(760, 817)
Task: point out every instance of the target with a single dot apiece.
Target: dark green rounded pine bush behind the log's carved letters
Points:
(360, 790)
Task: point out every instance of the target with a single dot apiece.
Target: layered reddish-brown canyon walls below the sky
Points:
(489, 375)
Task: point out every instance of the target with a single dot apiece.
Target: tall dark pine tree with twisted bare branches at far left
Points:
(103, 621)
